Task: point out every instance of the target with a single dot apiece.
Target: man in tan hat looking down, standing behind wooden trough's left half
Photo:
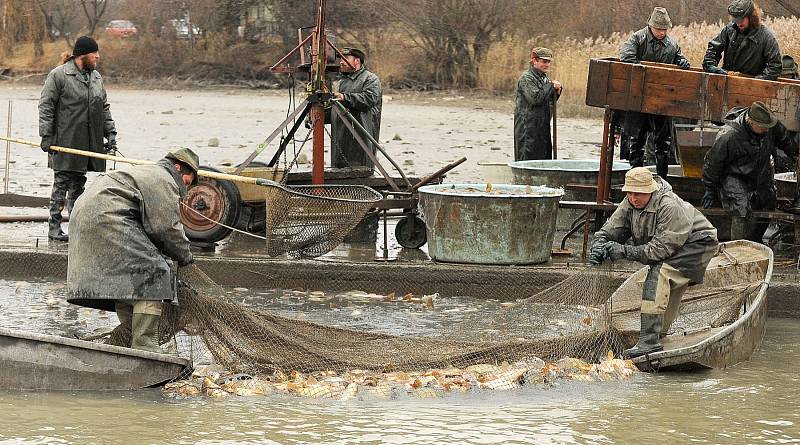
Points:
(651, 44)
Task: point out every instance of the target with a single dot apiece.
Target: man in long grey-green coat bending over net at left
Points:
(126, 236)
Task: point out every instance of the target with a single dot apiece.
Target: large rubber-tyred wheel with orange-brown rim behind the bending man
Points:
(214, 199)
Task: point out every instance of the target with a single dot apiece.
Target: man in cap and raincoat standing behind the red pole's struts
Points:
(359, 90)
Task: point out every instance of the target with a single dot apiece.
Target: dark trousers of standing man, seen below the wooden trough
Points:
(637, 127)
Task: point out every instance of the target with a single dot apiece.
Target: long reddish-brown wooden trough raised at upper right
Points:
(669, 91)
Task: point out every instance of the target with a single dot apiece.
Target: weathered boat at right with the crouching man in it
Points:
(720, 322)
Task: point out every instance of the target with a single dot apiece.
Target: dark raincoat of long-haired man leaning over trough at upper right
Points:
(755, 53)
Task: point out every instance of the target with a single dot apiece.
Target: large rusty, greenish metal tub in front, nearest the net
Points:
(511, 224)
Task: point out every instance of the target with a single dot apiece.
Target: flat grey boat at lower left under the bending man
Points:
(32, 361)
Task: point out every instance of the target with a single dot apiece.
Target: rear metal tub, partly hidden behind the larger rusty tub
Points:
(560, 173)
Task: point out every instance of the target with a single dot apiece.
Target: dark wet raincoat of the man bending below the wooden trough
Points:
(738, 166)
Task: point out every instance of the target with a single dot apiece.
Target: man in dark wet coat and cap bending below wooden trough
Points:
(737, 170)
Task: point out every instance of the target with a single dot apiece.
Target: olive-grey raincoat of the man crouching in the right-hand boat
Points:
(668, 230)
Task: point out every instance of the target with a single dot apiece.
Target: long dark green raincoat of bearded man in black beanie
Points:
(74, 113)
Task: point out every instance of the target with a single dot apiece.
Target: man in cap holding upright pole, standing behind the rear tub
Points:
(533, 109)
